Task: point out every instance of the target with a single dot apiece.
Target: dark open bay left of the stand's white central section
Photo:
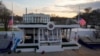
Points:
(31, 35)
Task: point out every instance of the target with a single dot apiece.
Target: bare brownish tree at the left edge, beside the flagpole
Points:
(4, 15)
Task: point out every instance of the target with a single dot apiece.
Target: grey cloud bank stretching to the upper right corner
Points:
(75, 7)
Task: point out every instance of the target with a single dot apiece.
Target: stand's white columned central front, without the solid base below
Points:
(50, 37)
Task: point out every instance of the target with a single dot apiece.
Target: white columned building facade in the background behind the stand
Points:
(35, 18)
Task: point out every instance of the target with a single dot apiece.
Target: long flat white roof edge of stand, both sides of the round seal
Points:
(43, 26)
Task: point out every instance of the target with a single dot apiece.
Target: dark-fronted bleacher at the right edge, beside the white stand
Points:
(90, 43)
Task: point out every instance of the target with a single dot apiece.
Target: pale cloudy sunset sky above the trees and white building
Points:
(62, 8)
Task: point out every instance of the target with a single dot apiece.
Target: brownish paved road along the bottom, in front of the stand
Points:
(81, 52)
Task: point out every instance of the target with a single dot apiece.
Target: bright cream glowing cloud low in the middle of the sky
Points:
(63, 12)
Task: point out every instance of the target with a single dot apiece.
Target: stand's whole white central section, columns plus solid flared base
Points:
(49, 40)
